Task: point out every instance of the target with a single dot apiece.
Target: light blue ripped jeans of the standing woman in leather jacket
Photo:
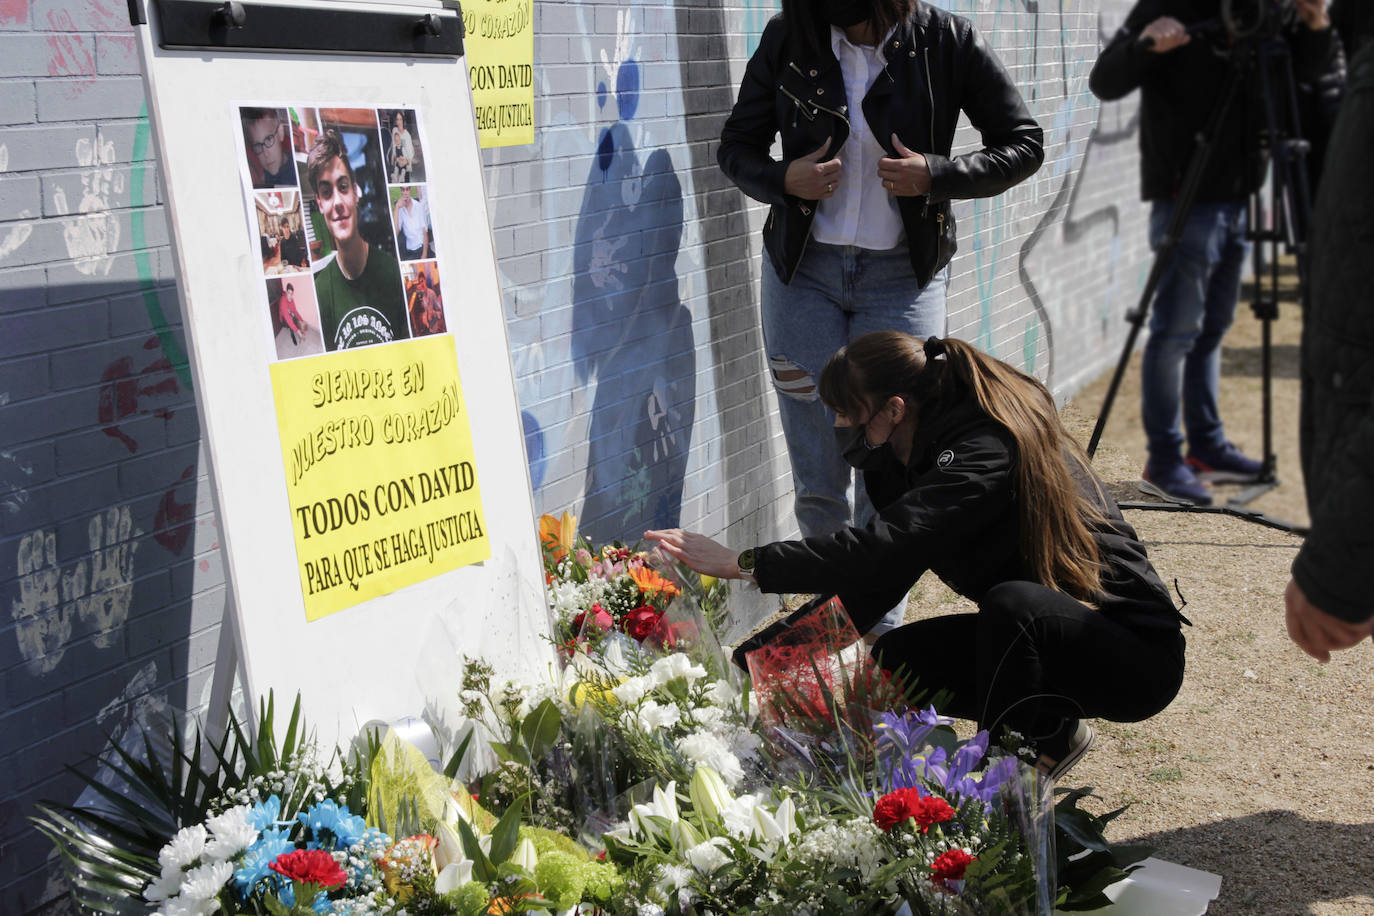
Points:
(839, 293)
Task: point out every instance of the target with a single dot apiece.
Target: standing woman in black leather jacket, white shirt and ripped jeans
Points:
(866, 95)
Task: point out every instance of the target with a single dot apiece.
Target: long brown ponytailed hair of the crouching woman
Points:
(1055, 514)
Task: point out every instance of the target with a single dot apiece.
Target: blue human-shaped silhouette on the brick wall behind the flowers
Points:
(633, 336)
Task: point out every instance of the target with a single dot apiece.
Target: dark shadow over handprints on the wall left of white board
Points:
(109, 550)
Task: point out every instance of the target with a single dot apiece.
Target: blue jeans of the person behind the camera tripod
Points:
(1193, 308)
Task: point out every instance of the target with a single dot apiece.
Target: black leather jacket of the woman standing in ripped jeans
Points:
(938, 64)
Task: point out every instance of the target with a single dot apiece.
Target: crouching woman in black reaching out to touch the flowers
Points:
(976, 479)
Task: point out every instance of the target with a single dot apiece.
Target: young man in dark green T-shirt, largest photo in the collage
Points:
(359, 284)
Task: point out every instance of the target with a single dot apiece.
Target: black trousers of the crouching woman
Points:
(1033, 659)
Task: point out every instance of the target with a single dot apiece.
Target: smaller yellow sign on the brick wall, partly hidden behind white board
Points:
(501, 65)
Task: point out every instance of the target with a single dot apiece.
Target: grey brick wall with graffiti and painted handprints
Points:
(631, 273)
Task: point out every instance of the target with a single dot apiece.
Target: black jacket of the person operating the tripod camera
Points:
(1181, 89)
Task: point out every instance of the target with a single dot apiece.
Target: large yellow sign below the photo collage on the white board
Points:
(379, 470)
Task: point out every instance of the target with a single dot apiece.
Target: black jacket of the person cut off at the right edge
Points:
(1338, 420)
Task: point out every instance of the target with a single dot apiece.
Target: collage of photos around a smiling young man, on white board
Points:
(343, 215)
